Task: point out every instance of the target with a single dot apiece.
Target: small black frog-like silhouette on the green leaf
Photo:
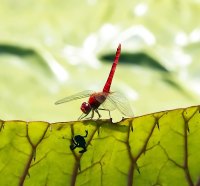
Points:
(79, 141)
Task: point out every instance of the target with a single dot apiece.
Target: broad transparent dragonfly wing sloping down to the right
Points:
(121, 103)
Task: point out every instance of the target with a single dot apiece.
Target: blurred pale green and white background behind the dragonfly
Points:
(52, 49)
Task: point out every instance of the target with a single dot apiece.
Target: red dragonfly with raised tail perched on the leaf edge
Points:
(104, 100)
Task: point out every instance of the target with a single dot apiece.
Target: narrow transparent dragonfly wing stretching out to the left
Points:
(79, 95)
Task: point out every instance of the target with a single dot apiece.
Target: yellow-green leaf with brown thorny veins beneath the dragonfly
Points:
(155, 149)
